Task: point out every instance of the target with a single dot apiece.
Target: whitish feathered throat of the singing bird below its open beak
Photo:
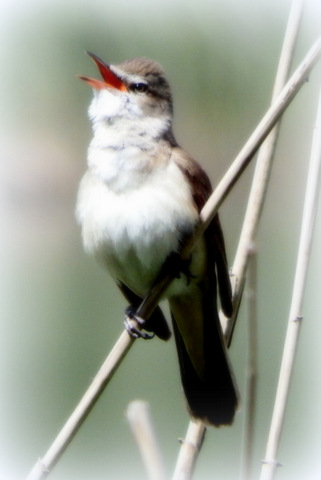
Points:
(127, 142)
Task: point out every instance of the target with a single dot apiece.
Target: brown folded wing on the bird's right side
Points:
(202, 189)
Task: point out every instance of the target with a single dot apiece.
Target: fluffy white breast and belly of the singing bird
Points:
(134, 228)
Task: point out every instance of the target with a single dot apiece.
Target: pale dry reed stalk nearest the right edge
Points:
(270, 462)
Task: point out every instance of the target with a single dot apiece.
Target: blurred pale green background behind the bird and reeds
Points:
(60, 313)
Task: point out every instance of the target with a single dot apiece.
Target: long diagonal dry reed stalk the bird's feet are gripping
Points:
(44, 466)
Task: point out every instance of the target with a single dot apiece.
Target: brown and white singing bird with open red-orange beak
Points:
(138, 201)
